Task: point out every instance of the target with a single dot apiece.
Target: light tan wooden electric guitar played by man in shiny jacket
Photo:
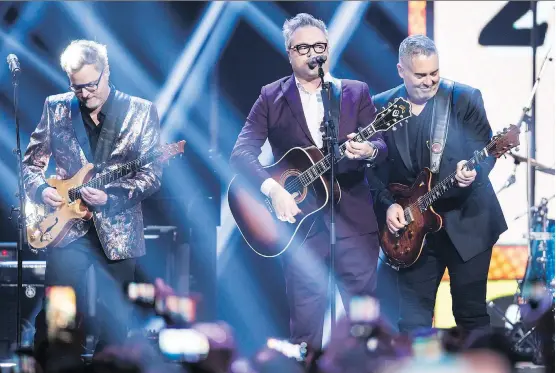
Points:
(47, 226)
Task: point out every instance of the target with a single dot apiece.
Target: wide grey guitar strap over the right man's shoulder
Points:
(441, 119)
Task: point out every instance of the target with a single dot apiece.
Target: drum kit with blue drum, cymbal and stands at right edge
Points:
(535, 293)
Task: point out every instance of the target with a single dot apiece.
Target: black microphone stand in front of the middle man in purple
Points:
(330, 138)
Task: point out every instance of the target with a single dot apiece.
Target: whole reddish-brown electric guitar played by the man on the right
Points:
(403, 248)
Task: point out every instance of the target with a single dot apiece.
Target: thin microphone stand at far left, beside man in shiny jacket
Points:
(21, 209)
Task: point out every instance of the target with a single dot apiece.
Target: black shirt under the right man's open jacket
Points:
(418, 135)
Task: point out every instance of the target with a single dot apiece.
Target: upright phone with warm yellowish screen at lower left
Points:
(60, 311)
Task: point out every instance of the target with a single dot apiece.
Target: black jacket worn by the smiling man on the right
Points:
(471, 216)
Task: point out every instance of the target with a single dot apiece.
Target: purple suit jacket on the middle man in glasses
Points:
(278, 115)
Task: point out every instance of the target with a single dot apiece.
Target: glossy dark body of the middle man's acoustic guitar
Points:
(255, 216)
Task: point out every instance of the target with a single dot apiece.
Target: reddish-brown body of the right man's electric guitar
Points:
(404, 249)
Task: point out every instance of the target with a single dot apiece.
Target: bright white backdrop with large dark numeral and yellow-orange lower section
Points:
(487, 45)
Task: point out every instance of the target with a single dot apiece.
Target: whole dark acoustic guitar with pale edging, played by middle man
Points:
(301, 171)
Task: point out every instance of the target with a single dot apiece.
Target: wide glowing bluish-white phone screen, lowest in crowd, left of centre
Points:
(184, 345)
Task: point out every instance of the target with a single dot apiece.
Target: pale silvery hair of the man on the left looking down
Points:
(84, 52)
